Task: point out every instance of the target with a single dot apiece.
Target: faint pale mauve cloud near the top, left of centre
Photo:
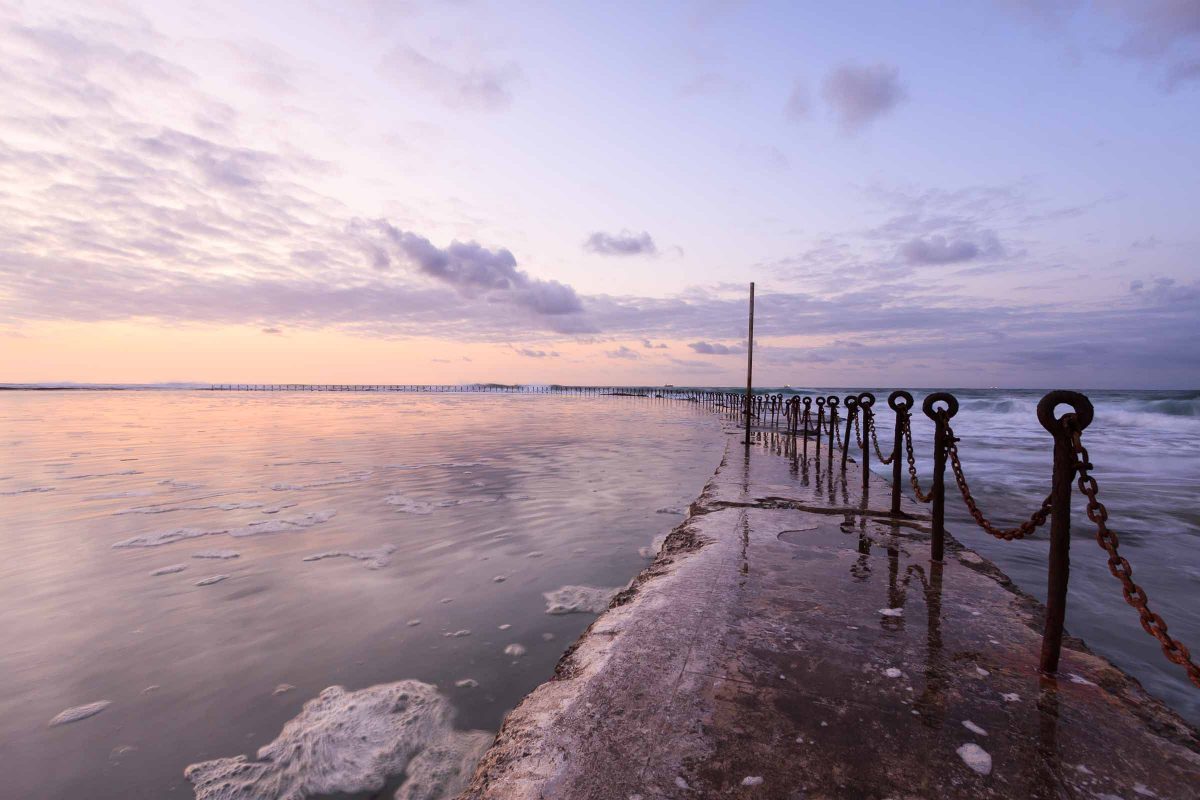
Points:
(481, 88)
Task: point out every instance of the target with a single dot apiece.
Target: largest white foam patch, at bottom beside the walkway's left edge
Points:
(352, 743)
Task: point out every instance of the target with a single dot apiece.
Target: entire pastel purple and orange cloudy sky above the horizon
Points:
(927, 195)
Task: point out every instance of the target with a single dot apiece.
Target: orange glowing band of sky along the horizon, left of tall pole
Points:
(103, 353)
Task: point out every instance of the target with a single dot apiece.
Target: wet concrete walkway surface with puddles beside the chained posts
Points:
(791, 641)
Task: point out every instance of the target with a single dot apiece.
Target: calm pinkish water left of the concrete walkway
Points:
(463, 512)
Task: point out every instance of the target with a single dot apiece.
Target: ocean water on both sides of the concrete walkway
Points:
(184, 570)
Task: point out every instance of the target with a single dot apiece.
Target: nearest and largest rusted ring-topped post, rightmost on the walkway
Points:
(1061, 485)
